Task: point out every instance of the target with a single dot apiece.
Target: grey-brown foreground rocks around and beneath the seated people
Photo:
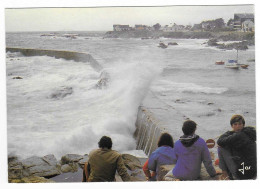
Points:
(69, 168)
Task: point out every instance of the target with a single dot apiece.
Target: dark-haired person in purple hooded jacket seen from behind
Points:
(190, 151)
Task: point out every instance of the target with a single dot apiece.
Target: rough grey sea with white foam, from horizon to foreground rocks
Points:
(56, 108)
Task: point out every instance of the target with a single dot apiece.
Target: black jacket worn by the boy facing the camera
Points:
(242, 146)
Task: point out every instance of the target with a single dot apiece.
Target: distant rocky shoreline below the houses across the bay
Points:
(243, 39)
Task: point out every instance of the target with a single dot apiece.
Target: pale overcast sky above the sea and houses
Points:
(102, 19)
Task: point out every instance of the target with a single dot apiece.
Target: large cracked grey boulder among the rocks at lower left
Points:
(43, 167)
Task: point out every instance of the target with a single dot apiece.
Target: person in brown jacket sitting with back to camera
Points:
(103, 164)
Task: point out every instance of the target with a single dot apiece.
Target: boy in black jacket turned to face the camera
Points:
(237, 151)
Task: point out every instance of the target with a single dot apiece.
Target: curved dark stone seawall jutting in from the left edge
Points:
(67, 55)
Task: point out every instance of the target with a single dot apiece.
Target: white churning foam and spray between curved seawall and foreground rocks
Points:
(56, 108)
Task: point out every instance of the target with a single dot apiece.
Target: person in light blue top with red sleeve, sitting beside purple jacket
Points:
(163, 155)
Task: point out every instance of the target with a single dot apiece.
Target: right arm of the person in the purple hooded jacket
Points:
(207, 161)
